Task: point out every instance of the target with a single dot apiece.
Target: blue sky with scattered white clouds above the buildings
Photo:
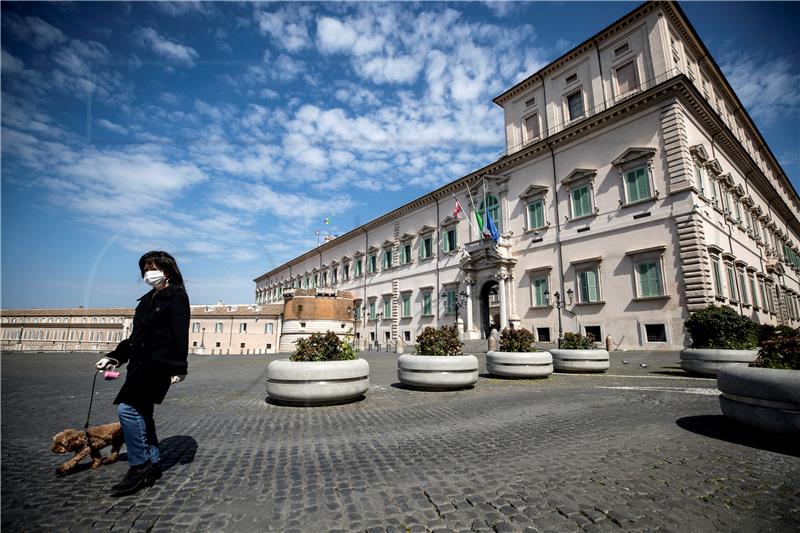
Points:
(226, 133)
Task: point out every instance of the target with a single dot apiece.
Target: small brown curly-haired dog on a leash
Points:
(74, 440)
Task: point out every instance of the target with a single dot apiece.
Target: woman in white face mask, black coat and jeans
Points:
(156, 352)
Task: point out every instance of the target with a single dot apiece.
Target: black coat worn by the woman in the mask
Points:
(157, 347)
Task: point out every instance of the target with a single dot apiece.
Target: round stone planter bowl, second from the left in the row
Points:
(435, 372)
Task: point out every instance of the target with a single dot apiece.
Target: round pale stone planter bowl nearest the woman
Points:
(317, 382)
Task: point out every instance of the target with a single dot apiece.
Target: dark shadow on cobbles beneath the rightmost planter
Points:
(721, 428)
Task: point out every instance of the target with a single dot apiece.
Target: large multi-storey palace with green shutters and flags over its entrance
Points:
(635, 188)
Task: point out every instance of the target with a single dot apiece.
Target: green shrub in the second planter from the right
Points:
(721, 327)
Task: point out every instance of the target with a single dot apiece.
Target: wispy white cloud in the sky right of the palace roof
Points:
(768, 88)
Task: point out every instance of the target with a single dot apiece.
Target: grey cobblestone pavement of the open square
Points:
(634, 449)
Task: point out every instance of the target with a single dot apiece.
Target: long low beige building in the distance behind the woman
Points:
(213, 329)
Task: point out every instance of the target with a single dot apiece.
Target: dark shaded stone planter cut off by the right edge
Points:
(764, 398)
